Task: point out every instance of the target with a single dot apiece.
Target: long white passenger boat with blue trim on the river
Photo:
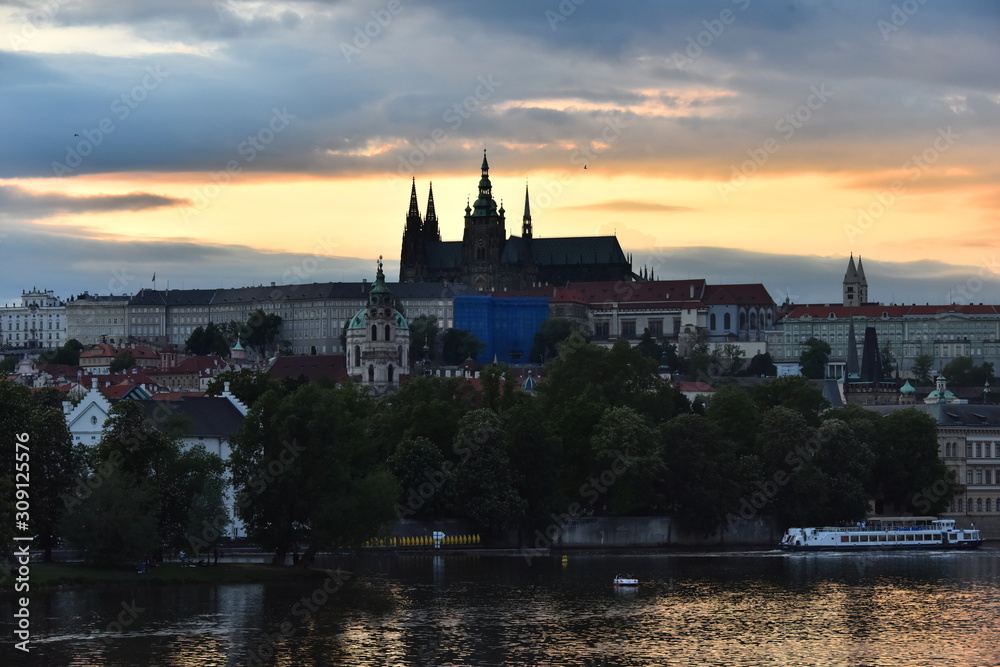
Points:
(883, 533)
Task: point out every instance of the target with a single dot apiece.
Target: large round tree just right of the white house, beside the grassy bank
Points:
(307, 470)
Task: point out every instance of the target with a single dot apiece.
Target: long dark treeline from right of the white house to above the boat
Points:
(604, 435)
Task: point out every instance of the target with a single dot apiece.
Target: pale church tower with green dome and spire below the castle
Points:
(378, 341)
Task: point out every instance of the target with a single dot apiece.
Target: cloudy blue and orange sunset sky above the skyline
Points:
(227, 143)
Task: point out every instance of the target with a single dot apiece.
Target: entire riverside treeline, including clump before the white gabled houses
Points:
(317, 466)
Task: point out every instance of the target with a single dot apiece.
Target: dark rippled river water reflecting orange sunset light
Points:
(752, 608)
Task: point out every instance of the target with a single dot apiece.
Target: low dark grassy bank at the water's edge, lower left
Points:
(78, 574)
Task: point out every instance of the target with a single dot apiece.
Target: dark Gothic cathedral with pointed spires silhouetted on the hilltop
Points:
(486, 259)
